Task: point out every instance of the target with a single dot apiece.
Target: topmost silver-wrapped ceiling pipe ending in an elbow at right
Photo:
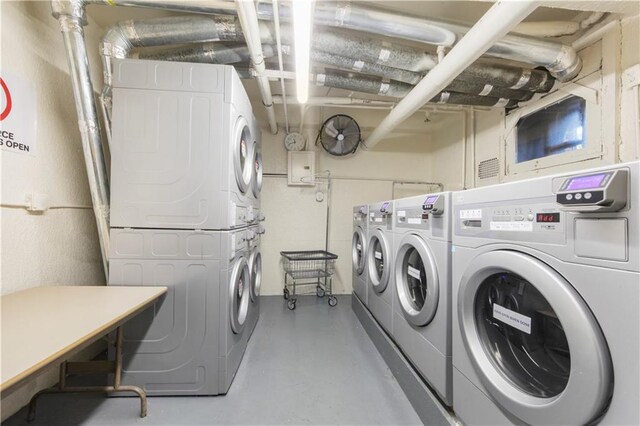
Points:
(561, 60)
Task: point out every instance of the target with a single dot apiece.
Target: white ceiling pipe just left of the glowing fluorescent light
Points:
(249, 22)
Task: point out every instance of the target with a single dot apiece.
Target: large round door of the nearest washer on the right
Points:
(533, 341)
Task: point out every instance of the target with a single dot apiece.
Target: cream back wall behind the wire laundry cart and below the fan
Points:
(296, 221)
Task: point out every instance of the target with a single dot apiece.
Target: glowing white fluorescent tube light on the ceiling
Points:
(302, 25)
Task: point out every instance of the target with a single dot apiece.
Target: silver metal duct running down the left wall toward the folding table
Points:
(71, 22)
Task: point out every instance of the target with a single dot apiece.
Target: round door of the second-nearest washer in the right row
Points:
(417, 283)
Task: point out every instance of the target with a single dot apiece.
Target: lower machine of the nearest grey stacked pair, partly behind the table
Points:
(192, 342)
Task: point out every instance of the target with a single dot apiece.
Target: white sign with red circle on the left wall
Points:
(18, 119)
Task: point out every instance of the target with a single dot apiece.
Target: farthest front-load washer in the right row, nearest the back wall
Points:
(359, 252)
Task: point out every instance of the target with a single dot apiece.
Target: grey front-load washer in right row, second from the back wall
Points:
(379, 263)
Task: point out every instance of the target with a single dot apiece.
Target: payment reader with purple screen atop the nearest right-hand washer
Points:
(602, 191)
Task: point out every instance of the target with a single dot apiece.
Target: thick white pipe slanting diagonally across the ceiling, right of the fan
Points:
(497, 22)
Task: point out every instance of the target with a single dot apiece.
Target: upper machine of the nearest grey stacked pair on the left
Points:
(181, 147)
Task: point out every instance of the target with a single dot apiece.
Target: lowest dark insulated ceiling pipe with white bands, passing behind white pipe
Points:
(349, 81)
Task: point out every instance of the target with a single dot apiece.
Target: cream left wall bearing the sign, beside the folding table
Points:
(60, 246)
